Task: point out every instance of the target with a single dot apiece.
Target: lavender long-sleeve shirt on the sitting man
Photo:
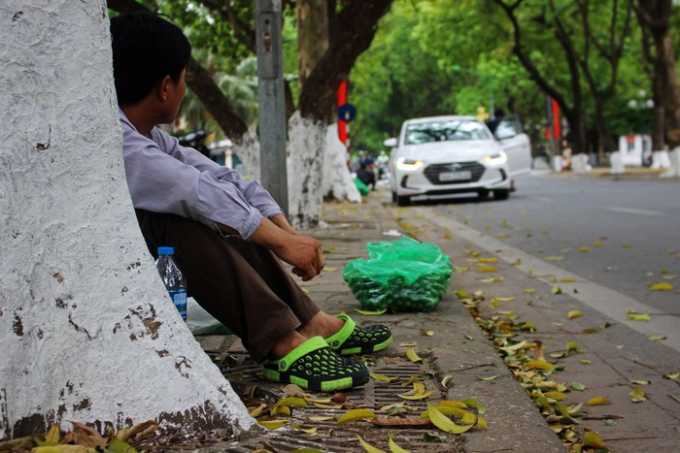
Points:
(165, 177)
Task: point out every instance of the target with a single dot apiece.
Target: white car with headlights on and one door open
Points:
(446, 155)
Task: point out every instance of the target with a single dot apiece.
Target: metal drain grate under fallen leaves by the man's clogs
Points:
(331, 438)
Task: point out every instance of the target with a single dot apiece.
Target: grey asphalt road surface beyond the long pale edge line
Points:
(616, 238)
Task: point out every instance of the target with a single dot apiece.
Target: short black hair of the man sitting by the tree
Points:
(146, 48)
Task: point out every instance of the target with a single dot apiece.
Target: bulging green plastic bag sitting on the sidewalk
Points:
(400, 276)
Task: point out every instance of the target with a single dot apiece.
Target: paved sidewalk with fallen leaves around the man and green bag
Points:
(458, 348)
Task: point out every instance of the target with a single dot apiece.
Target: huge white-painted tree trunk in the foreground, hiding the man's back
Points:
(87, 332)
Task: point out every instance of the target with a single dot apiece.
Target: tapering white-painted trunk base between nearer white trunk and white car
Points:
(337, 180)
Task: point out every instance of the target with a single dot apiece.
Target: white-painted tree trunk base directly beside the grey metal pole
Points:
(307, 140)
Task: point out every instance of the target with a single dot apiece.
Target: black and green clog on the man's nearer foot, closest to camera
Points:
(315, 366)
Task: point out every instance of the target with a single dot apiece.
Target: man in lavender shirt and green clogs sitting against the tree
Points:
(228, 232)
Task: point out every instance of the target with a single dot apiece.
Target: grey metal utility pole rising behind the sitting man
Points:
(274, 175)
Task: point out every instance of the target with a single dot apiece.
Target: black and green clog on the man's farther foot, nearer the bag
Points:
(352, 339)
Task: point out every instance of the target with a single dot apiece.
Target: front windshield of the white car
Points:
(444, 131)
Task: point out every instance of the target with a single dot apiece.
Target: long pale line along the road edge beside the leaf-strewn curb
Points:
(600, 298)
